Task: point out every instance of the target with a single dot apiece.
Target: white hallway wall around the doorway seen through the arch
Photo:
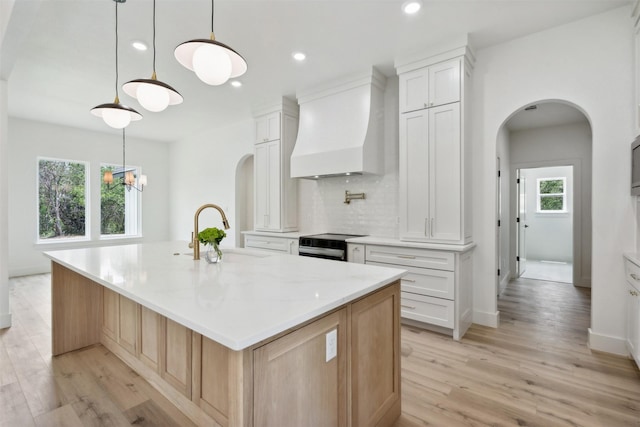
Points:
(561, 145)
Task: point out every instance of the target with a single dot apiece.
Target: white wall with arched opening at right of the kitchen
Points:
(587, 63)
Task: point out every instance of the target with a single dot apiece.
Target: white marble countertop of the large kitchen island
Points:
(248, 297)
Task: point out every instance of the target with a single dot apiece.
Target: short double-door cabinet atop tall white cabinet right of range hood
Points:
(431, 86)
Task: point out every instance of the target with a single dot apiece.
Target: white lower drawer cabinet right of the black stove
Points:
(436, 291)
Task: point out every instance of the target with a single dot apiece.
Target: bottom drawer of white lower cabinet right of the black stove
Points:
(435, 311)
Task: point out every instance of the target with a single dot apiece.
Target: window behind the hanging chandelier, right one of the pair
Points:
(119, 206)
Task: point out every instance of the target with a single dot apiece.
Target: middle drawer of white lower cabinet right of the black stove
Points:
(425, 281)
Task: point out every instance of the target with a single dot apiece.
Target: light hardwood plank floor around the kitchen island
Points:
(535, 370)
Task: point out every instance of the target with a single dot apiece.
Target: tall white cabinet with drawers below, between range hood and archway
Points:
(435, 191)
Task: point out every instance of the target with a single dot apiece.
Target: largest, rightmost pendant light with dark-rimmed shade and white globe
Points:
(213, 62)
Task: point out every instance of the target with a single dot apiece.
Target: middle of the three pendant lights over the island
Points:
(153, 94)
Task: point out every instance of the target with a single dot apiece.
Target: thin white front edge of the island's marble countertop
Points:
(248, 341)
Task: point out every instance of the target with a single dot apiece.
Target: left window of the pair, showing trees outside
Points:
(62, 195)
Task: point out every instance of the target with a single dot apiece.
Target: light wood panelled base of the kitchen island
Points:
(284, 380)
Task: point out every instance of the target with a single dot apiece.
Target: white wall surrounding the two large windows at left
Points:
(28, 140)
